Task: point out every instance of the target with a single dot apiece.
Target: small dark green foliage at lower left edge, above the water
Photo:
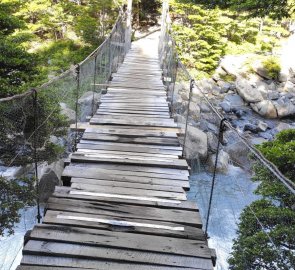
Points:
(15, 194)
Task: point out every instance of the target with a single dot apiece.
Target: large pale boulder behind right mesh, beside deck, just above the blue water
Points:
(196, 144)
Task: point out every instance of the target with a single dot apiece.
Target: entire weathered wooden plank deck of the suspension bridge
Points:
(124, 204)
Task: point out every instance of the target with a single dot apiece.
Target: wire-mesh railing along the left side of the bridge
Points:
(34, 126)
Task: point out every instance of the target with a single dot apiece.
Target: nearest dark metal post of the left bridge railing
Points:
(35, 138)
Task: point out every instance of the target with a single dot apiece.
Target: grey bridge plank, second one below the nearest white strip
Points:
(113, 254)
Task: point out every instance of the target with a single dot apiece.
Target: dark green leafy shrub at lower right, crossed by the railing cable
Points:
(273, 246)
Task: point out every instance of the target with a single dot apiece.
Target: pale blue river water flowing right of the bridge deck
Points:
(232, 193)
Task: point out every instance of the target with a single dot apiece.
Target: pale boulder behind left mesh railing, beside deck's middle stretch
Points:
(86, 102)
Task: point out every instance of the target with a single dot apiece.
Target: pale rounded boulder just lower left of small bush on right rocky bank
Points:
(248, 91)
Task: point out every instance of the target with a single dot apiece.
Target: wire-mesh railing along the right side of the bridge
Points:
(223, 161)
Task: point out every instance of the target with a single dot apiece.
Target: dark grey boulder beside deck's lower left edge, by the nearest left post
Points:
(50, 177)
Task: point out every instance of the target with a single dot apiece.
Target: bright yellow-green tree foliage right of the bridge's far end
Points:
(198, 36)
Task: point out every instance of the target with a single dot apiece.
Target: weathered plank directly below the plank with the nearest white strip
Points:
(187, 247)
